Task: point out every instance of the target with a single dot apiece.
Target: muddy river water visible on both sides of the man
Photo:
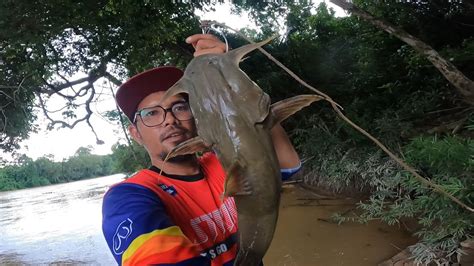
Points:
(61, 225)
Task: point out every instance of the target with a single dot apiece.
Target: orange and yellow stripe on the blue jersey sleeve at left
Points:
(160, 242)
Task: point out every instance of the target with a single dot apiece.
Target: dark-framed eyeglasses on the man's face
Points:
(156, 115)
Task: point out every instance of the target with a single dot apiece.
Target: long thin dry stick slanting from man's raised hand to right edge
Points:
(336, 107)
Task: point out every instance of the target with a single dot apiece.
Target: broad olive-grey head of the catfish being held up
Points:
(215, 83)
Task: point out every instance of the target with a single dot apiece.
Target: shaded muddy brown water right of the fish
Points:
(306, 235)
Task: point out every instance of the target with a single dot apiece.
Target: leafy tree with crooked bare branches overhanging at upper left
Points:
(44, 45)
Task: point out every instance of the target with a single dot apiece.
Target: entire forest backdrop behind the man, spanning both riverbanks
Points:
(383, 84)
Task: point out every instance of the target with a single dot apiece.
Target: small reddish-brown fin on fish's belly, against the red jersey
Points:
(235, 183)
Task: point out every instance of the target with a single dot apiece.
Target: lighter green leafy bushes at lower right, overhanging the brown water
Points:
(448, 162)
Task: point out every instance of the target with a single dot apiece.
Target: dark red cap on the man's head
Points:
(135, 89)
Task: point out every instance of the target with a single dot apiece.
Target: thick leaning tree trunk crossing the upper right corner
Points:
(463, 84)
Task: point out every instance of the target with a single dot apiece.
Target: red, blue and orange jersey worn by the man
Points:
(172, 220)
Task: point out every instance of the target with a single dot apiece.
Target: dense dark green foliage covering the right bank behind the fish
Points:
(398, 96)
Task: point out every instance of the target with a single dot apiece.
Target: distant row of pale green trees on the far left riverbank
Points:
(44, 171)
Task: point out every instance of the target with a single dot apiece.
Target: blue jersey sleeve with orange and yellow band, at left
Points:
(139, 232)
